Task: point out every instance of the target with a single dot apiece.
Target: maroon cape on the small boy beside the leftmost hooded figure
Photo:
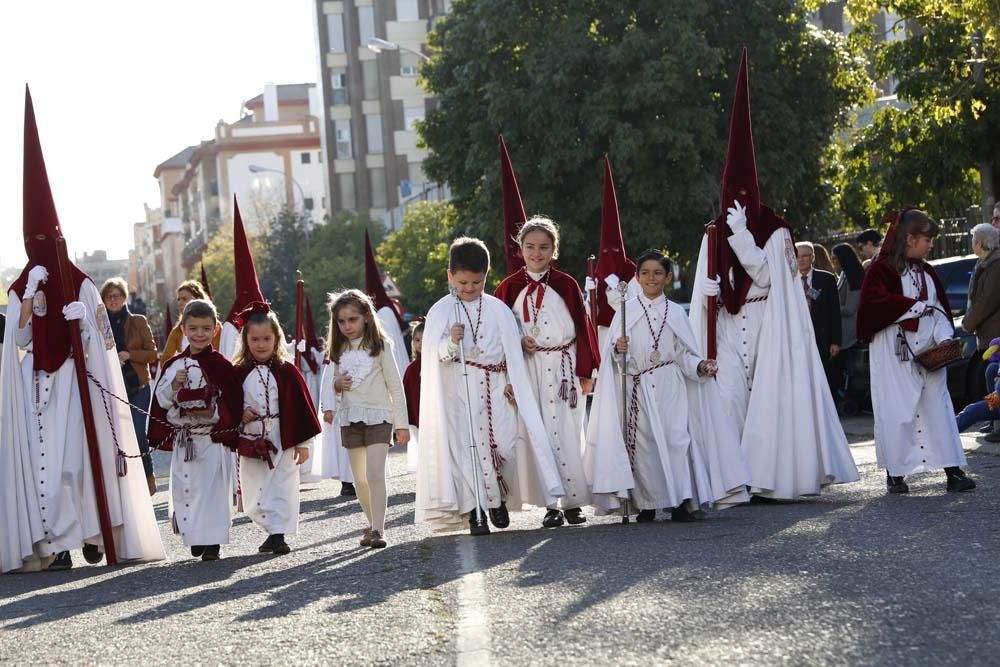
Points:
(219, 372)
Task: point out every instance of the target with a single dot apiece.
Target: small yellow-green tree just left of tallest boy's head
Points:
(417, 255)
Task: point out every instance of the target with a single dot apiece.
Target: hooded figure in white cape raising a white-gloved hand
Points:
(770, 374)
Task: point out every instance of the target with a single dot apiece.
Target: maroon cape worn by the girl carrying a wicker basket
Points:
(882, 301)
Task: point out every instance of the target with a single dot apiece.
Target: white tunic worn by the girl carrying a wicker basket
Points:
(915, 428)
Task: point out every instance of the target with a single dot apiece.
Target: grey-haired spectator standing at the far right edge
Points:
(983, 315)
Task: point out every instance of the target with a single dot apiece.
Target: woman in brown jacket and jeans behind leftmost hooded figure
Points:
(136, 350)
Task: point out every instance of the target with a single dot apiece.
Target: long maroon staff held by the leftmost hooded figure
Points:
(90, 426)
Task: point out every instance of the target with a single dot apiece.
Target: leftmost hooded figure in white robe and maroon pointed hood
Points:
(47, 498)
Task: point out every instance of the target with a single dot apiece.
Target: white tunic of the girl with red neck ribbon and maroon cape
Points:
(546, 371)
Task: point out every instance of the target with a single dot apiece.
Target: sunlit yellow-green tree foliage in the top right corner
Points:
(938, 147)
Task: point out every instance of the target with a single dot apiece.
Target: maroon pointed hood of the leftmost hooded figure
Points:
(50, 332)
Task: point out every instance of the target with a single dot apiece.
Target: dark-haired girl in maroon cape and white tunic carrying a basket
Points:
(903, 311)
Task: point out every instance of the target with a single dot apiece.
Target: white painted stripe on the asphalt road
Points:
(473, 624)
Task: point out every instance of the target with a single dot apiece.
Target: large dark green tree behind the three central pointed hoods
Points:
(648, 82)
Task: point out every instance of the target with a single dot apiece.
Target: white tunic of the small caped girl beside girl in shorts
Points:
(270, 497)
